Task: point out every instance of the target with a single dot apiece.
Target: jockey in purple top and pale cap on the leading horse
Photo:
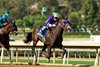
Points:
(51, 22)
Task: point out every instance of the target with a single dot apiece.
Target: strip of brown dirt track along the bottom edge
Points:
(41, 65)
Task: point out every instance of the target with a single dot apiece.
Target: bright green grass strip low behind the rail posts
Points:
(51, 61)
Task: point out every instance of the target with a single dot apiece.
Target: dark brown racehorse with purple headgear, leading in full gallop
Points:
(53, 38)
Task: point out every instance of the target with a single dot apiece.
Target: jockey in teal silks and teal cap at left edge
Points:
(4, 19)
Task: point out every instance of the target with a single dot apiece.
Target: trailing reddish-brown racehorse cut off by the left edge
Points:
(4, 35)
